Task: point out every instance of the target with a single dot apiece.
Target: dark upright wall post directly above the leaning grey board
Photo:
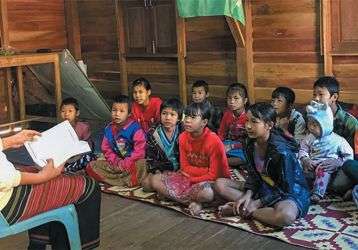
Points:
(73, 28)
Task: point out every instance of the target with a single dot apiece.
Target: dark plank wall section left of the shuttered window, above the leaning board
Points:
(99, 44)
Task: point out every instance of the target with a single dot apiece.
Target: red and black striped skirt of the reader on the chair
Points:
(29, 200)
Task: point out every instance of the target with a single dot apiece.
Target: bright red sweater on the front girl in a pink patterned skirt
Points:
(203, 158)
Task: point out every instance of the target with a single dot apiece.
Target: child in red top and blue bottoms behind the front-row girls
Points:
(232, 126)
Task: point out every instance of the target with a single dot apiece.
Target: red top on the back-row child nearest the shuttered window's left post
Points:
(149, 115)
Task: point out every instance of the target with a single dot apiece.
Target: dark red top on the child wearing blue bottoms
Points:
(232, 127)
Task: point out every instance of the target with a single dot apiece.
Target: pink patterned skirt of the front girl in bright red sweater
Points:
(180, 188)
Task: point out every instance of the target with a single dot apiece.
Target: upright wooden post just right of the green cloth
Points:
(249, 51)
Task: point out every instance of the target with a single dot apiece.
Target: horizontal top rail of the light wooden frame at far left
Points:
(30, 59)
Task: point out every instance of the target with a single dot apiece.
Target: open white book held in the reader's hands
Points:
(58, 143)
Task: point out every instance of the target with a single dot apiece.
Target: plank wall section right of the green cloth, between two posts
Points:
(286, 45)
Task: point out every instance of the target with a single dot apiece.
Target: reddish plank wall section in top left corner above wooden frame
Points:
(36, 24)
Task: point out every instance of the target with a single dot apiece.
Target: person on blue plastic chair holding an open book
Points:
(24, 195)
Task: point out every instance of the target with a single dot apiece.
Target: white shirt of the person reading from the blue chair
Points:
(9, 178)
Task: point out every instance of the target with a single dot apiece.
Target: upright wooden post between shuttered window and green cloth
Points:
(181, 48)
